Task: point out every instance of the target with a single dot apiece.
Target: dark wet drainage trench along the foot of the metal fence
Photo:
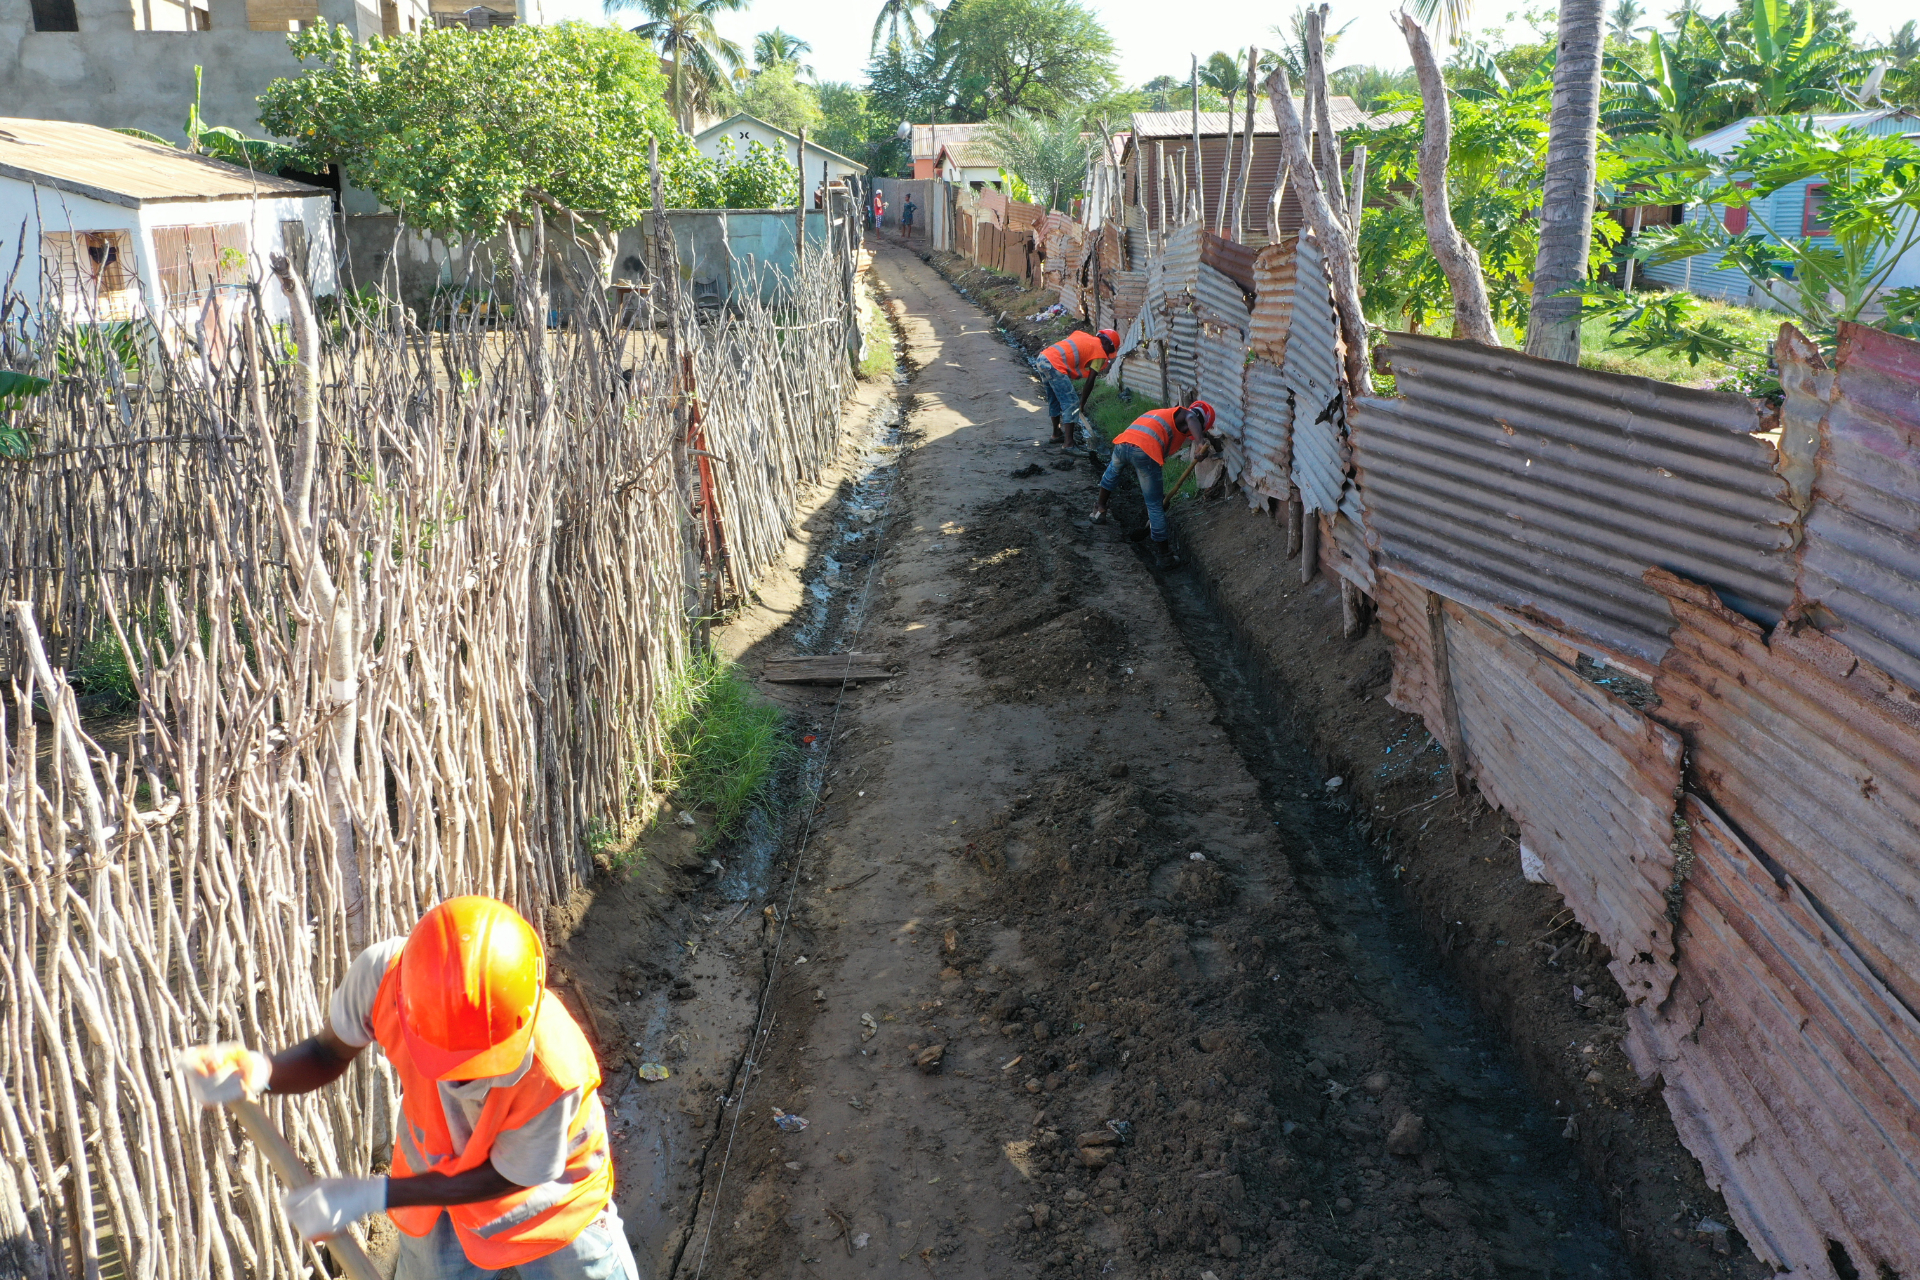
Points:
(1535, 1202)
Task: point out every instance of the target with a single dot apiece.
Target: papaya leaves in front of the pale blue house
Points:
(1871, 202)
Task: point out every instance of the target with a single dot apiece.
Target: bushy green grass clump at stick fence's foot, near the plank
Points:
(723, 744)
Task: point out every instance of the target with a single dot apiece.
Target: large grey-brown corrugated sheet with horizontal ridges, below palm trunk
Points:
(1545, 490)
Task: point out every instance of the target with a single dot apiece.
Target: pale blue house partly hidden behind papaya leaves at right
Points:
(1792, 212)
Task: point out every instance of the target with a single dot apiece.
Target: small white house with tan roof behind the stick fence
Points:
(110, 227)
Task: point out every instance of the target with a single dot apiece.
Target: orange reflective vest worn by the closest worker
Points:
(531, 1221)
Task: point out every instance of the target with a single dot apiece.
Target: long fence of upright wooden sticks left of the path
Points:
(395, 604)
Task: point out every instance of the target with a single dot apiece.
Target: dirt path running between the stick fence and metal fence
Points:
(1051, 997)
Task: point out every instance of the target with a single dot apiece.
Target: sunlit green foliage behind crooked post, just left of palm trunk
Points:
(1499, 162)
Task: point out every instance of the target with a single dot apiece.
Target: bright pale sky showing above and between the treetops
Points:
(1147, 34)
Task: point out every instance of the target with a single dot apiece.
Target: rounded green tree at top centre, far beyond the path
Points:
(1001, 57)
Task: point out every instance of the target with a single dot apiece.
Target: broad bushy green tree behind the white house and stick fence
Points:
(458, 128)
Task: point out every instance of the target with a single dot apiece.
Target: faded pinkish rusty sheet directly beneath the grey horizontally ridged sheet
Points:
(1589, 780)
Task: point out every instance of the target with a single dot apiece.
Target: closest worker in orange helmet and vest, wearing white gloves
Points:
(502, 1152)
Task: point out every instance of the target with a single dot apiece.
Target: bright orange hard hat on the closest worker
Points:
(471, 980)
